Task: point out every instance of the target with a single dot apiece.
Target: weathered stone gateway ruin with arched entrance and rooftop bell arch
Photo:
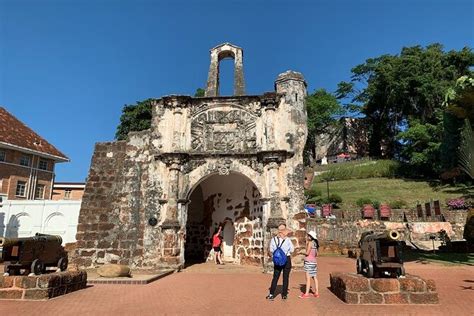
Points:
(154, 200)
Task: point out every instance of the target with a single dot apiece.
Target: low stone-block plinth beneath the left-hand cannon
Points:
(42, 287)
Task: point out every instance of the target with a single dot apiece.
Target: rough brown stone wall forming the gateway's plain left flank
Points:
(111, 220)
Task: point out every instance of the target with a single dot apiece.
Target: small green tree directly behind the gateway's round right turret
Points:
(322, 108)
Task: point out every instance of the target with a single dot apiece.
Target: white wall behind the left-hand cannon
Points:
(26, 218)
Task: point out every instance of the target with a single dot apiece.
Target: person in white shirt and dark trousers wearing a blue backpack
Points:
(281, 249)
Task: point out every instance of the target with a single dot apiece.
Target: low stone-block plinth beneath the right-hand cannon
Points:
(356, 289)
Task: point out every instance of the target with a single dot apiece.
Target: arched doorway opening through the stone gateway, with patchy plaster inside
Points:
(234, 202)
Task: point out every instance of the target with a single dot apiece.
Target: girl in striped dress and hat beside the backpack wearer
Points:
(310, 264)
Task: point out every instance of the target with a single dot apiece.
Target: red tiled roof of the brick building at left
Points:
(14, 132)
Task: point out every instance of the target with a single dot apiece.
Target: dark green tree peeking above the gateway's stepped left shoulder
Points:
(135, 117)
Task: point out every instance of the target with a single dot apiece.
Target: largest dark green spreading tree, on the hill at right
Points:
(404, 91)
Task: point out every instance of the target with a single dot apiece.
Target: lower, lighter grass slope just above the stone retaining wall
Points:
(386, 190)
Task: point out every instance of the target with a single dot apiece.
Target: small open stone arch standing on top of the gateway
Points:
(218, 53)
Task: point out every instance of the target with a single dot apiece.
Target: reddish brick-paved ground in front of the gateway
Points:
(208, 289)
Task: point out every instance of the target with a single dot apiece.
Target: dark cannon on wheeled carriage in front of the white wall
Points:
(33, 254)
